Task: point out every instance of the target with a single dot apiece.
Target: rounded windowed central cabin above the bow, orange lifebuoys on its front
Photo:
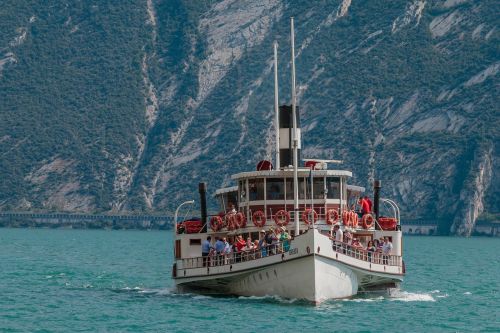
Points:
(265, 198)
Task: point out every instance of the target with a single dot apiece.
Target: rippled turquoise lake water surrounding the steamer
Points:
(88, 281)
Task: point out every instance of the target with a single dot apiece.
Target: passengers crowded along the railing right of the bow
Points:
(377, 250)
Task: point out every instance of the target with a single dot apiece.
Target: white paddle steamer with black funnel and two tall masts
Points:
(309, 201)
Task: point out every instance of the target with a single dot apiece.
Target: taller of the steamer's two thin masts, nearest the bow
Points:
(294, 138)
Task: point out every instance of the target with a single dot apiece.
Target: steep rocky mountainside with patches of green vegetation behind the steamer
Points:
(118, 107)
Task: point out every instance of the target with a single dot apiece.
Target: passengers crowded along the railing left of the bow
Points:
(224, 249)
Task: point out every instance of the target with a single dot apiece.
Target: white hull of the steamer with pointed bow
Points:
(311, 270)
